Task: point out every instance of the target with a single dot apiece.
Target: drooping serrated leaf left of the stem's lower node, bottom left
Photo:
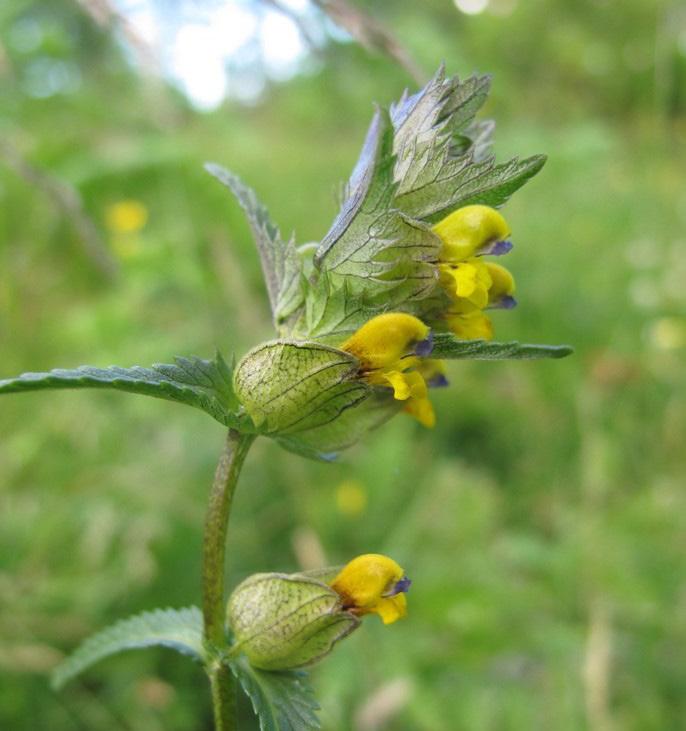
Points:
(179, 629)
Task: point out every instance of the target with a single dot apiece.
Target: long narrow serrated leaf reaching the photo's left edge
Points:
(205, 384)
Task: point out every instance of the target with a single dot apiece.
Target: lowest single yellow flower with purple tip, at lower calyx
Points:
(373, 583)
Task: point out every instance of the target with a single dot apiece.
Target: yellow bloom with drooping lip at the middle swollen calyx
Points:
(391, 348)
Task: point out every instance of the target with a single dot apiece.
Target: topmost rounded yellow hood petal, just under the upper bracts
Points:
(469, 229)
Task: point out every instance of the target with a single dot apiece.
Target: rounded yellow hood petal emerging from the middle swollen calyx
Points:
(385, 339)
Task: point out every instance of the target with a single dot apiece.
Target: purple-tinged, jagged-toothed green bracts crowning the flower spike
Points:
(423, 158)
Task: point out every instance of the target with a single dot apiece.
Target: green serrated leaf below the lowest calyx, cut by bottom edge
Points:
(283, 701)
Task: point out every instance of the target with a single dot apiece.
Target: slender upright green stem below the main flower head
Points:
(213, 571)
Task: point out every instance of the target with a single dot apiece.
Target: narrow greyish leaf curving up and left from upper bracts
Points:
(280, 262)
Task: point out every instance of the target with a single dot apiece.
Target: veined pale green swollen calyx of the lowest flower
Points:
(283, 621)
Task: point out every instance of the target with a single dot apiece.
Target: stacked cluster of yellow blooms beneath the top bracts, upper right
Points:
(473, 284)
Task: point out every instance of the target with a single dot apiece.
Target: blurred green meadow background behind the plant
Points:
(543, 521)
